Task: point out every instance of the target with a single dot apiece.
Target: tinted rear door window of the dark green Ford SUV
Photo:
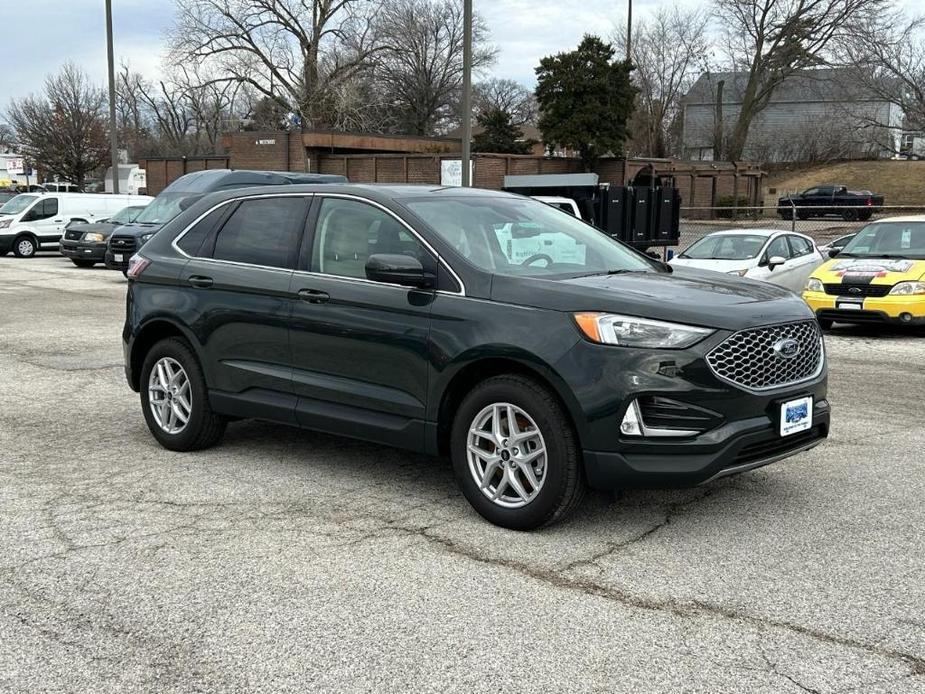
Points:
(262, 232)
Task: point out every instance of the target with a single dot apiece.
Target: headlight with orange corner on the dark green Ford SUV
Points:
(629, 331)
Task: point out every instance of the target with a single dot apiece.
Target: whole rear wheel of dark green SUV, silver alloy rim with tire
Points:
(175, 400)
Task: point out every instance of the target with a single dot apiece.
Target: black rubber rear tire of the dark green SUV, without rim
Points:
(204, 428)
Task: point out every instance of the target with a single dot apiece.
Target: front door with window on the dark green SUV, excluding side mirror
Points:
(359, 348)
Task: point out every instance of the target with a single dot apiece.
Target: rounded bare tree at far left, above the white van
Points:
(63, 132)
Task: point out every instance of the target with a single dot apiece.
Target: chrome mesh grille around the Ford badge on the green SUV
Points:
(748, 358)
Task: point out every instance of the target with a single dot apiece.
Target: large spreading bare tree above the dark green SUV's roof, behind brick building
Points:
(292, 51)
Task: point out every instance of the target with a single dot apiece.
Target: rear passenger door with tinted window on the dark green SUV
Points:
(237, 288)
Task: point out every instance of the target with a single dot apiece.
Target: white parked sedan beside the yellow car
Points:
(771, 255)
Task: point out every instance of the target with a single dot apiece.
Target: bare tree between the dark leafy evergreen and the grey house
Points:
(668, 52)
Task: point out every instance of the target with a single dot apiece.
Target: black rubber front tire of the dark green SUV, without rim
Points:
(563, 487)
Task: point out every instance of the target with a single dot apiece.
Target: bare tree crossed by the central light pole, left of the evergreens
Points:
(419, 69)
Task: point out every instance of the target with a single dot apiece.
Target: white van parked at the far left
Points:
(31, 222)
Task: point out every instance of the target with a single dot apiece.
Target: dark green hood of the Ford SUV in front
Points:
(696, 297)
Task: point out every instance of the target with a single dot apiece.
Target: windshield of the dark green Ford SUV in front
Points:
(515, 236)
